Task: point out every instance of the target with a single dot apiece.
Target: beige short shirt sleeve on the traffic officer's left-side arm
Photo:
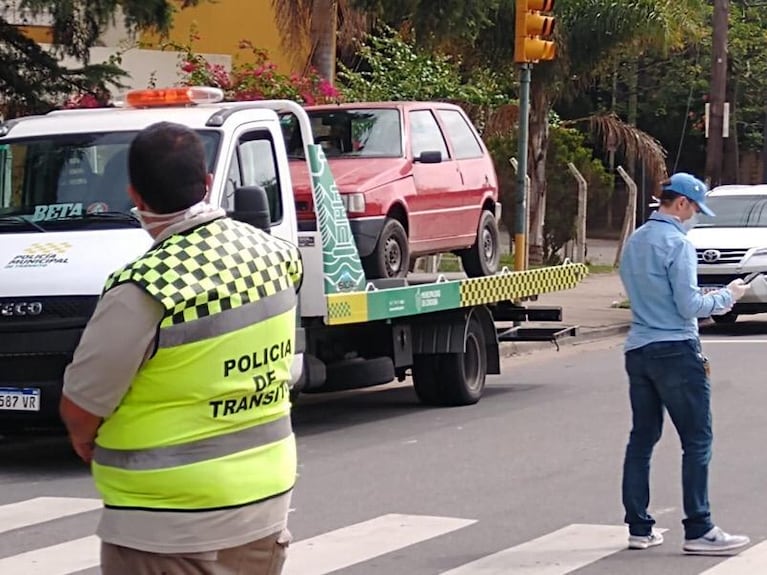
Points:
(117, 340)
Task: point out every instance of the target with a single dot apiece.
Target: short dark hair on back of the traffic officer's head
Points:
(167, 167)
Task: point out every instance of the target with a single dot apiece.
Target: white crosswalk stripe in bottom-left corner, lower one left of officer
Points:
(61, 559)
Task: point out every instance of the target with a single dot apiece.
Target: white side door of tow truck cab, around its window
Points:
(253, 159)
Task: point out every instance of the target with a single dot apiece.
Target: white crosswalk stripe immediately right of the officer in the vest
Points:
(354, 544)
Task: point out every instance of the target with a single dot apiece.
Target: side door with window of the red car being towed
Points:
(436, 210)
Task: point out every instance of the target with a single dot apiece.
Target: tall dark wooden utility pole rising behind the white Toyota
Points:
(717, 94)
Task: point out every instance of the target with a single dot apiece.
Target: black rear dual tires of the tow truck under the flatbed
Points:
(453, 379)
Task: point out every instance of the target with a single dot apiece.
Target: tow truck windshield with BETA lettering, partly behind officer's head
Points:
(71, 181)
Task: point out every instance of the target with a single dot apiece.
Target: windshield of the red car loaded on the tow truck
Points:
(348, 133)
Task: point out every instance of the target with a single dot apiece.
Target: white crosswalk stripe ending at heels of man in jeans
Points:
(556, 553)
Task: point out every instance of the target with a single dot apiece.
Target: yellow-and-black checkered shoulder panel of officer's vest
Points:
(217, 266)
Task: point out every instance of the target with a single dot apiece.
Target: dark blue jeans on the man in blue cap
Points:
(668, 374)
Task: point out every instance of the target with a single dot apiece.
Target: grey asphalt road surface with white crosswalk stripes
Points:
(526, 482)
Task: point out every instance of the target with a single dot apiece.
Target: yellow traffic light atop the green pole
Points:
(531, 29)
